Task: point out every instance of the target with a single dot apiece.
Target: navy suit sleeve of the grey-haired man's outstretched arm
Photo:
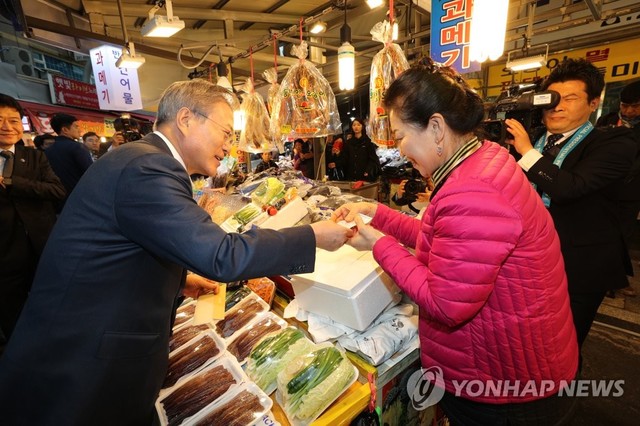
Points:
(155, 209)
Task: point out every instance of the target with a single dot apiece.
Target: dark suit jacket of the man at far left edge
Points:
(29, 199)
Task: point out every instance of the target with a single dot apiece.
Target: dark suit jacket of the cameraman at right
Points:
(585, 208)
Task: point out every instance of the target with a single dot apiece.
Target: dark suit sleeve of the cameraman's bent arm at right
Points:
(607, 158)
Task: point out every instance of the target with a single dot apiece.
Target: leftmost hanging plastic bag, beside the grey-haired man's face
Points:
(255, 136)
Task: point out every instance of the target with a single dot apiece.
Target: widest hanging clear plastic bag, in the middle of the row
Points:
(305, 106)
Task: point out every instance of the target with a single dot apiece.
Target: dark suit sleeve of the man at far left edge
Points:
(44, 184)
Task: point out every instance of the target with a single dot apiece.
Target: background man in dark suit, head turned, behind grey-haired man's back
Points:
(68, 157)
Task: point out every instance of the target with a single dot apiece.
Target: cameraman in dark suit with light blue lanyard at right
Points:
(578, 169)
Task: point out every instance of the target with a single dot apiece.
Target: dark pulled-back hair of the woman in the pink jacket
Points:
(428, 88)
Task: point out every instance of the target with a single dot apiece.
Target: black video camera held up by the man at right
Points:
(524, 103)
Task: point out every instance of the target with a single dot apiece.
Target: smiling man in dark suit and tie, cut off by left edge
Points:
(28, 186)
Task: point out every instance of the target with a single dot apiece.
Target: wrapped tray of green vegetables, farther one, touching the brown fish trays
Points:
(273, 353)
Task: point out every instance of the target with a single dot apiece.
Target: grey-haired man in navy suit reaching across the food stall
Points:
(91, 346)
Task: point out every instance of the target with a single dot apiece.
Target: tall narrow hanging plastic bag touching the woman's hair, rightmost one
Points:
(387, 65)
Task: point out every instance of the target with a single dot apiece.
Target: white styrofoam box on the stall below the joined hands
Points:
(347, 285)
